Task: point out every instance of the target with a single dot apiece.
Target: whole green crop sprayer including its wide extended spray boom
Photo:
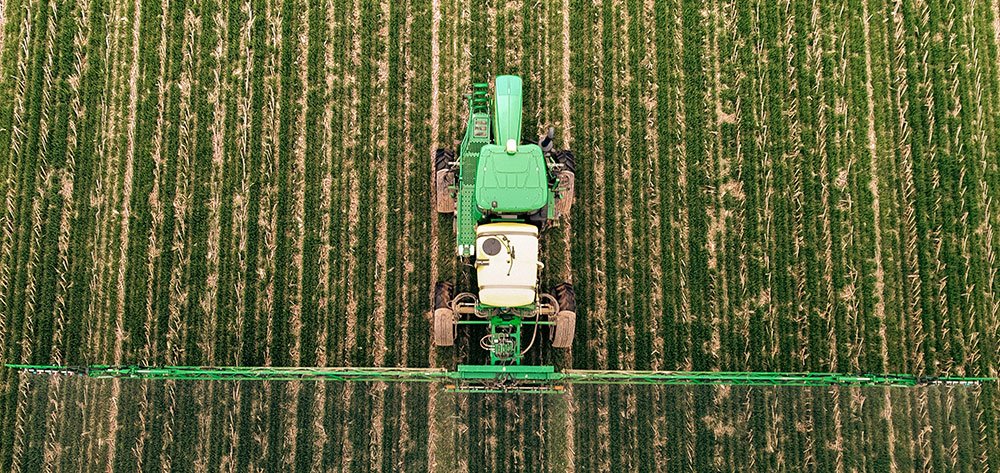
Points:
(504, 192)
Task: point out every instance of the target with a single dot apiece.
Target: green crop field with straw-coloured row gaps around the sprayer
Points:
(761, 185)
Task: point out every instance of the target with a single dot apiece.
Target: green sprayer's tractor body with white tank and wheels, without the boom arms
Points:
(504, 193)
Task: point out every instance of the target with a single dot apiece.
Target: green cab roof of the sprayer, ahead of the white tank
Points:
(511, 182)
